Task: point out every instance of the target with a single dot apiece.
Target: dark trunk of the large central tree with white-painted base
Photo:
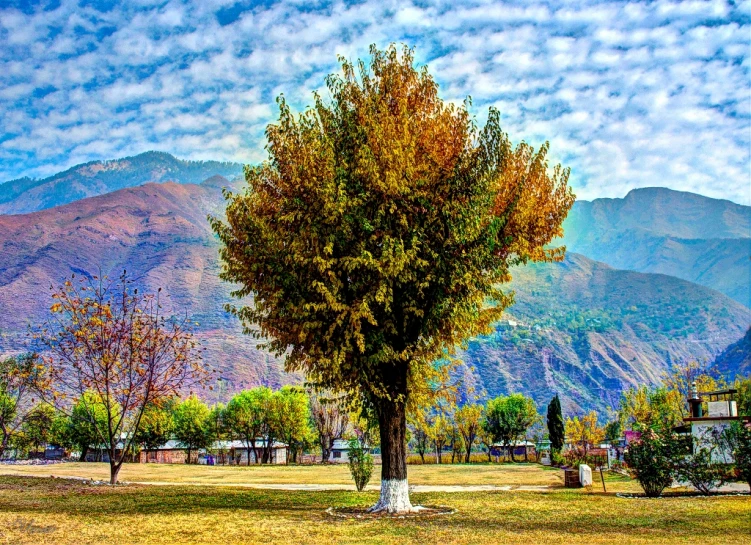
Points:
(392, 422)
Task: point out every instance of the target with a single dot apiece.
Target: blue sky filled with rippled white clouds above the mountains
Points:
(629, 94)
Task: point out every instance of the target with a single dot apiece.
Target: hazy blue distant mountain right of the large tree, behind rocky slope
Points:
(707, 241)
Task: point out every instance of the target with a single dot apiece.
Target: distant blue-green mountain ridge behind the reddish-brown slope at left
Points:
(99, 177)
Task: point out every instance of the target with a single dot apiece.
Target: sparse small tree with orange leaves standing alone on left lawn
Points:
(107, 338)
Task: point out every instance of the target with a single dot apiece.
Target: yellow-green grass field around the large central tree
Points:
(62, 512)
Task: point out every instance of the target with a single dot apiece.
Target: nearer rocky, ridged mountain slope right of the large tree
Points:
(588, 331)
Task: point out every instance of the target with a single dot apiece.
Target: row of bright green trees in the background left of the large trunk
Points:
(258, 417)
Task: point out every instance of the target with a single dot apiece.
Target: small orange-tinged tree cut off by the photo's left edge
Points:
(21, 377)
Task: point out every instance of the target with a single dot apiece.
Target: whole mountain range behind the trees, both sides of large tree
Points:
(585, 328)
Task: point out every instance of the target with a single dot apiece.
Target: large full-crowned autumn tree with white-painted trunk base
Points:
(378, 235)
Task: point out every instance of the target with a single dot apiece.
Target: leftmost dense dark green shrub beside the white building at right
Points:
(651, 461)
